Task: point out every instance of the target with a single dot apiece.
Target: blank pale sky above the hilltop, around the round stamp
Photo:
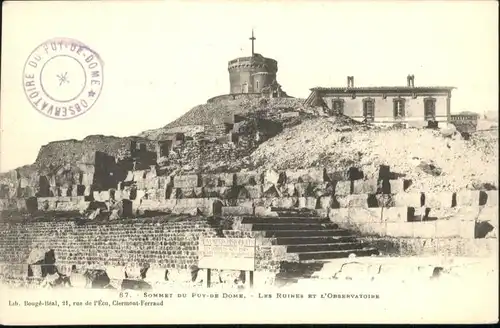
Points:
(163, 57)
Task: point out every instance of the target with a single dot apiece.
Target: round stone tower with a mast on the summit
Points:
(252, 74)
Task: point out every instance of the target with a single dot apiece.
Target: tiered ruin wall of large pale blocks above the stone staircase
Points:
(379, 210)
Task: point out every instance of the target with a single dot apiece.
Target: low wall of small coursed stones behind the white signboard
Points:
(127, 246)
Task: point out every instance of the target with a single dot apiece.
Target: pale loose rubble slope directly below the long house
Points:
(435, 161)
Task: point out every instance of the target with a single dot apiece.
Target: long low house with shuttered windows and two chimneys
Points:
(406, 105)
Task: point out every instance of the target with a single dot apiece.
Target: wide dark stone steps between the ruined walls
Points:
(308, 236)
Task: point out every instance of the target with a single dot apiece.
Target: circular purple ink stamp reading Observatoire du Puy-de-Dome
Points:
(63, 78)
